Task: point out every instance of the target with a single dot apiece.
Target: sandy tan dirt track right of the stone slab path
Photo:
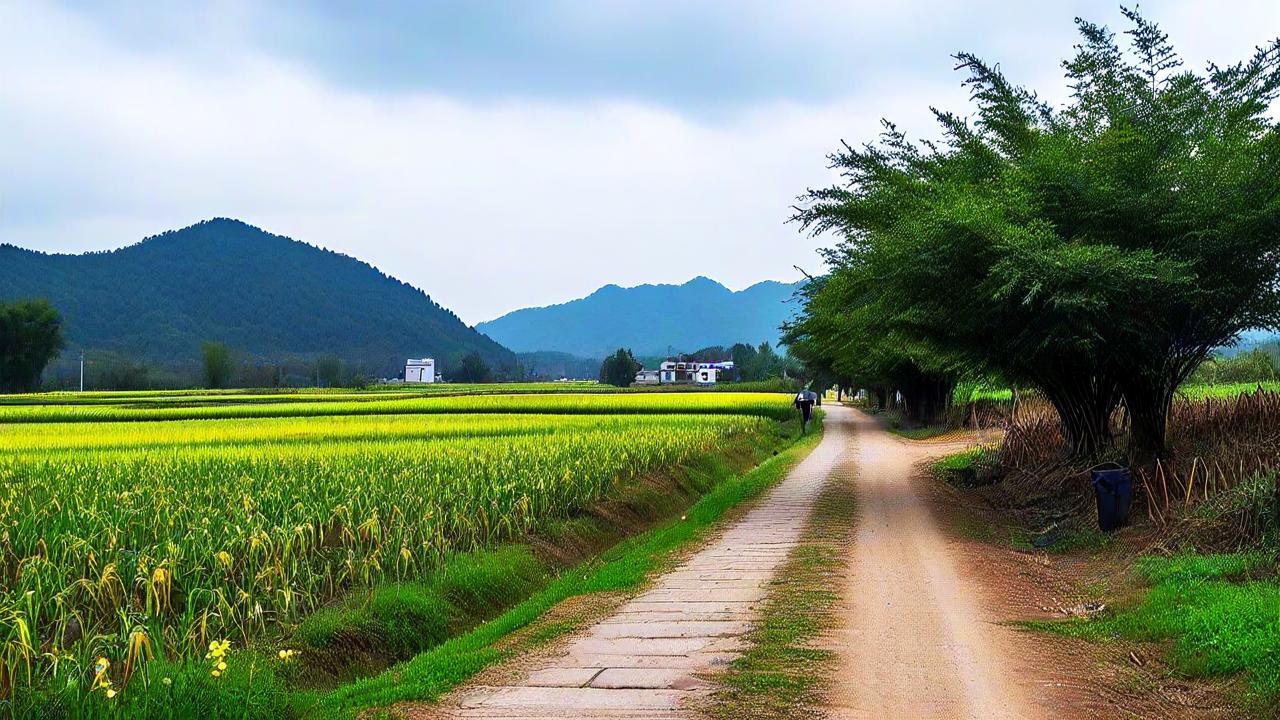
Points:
(917, 640)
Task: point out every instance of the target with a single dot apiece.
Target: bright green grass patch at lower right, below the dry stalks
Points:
(1218, 614)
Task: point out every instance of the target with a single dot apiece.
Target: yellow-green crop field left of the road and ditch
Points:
(131, 530)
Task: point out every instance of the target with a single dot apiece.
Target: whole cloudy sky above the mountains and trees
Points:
(502, 154)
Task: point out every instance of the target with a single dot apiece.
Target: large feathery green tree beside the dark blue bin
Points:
(1099, 250)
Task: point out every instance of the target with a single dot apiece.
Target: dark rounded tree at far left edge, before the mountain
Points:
(31, 336)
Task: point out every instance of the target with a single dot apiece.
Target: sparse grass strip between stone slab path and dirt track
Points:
(784, 672)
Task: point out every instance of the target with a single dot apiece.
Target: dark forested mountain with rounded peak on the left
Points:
(263, 295)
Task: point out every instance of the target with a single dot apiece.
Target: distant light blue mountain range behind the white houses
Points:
(650, 318)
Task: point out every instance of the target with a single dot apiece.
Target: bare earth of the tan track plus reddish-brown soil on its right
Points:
(930, 626)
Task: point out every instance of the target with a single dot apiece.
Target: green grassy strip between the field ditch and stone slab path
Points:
(623, 568)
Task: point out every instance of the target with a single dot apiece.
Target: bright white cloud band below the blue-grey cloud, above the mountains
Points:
(487, 206)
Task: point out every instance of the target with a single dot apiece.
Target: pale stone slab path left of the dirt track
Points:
(644, 660)
